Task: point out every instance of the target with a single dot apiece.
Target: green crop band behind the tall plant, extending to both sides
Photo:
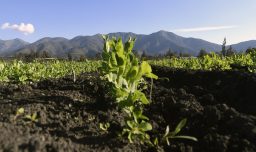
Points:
(18, 71)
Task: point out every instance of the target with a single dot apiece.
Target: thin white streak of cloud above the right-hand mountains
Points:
(203, 29)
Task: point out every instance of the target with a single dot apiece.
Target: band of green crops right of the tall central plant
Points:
(210, 62)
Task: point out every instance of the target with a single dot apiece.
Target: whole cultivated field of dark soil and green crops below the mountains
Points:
(71, 106)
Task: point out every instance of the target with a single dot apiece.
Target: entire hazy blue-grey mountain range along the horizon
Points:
(153, 44)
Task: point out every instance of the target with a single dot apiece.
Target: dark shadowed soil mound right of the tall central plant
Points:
(220, 106)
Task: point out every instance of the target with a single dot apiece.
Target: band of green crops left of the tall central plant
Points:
(21, 72)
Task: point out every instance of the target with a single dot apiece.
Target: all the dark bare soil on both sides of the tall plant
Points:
(220, 107)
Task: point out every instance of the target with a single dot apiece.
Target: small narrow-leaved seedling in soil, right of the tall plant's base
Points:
(171, 135)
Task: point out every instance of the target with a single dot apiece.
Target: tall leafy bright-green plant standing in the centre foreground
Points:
(124, 71)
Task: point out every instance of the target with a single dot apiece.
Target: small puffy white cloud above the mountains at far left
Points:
(22, 27)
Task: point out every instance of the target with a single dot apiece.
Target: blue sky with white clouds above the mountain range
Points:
(211, 20)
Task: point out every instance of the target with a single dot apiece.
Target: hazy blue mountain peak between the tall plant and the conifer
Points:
(161, 41)
